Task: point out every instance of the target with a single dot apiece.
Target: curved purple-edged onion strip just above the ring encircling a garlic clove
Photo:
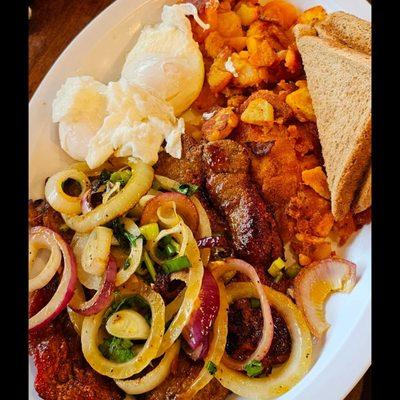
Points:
(103, 296)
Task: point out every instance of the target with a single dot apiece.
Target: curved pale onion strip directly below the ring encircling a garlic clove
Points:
(155, 377)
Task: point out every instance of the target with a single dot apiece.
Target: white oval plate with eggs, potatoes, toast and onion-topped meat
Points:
(200, 204)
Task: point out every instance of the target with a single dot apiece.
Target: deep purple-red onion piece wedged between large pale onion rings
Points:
(198, 330)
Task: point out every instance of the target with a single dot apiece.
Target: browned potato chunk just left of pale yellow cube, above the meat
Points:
(220, 125)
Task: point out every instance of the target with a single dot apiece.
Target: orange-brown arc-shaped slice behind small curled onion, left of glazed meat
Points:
(184, 206)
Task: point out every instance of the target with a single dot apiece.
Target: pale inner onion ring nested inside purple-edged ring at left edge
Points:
(43, 239)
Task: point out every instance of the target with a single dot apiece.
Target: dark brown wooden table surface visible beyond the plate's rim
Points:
(54, 23)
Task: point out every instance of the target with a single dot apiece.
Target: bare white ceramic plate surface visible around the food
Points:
(100, 50)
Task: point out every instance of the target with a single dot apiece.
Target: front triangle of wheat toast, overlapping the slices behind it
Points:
(339, 81)
